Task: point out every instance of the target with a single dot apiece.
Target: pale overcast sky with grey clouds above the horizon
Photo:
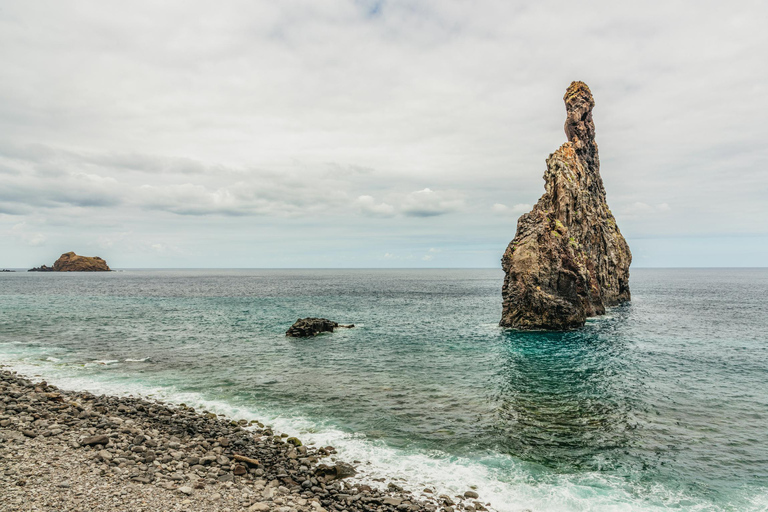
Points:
(372, 133)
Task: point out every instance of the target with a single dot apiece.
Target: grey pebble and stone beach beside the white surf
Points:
(68, 450)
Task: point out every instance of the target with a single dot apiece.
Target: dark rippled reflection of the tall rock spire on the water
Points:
(565, 399)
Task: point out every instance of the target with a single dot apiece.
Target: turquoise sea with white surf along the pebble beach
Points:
(660, 405)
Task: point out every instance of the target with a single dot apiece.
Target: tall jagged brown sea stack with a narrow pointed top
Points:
(568, 260)
